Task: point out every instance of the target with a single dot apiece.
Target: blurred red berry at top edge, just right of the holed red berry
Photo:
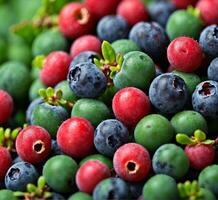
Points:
(100, 8)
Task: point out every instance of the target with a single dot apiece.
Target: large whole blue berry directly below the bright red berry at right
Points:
(168, 93)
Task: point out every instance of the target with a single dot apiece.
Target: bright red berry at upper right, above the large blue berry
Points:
(185, 54)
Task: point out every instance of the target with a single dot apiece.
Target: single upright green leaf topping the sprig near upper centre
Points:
(108, 52)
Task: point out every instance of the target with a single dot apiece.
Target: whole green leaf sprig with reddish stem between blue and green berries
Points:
(111, 62)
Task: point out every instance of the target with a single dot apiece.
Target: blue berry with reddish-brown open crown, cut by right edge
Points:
(205, 98)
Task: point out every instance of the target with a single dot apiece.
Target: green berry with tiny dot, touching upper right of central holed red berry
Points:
(152, 131)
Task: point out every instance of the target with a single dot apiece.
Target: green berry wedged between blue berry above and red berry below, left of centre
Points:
(93, 110)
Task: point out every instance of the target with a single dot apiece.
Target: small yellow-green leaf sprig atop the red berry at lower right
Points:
(198, 138)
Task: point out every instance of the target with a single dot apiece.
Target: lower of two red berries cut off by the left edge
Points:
(5, 162)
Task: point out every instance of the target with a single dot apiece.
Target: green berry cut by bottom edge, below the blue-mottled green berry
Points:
(160, 187)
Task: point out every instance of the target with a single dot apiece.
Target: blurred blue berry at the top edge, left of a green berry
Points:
(160, 12)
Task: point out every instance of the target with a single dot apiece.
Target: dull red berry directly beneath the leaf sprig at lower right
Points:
(200, 155)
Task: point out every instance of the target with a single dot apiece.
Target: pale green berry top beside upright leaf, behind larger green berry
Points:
(124, 46)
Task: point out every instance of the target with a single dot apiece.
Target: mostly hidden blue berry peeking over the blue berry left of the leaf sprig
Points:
(86, 56)
